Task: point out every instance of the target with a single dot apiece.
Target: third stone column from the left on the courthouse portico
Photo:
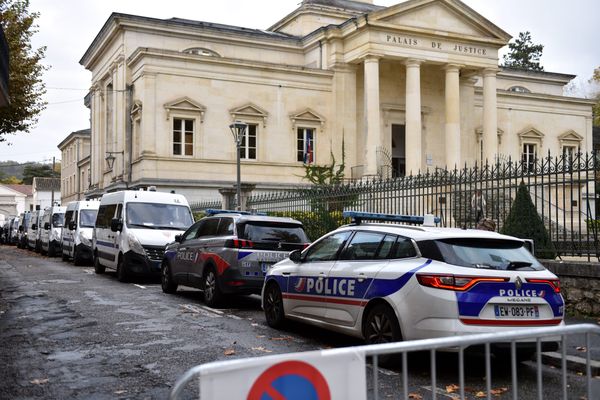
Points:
(452, 116)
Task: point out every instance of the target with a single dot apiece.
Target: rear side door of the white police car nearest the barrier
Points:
(352, 275)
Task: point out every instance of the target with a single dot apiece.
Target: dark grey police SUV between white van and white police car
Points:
(229, 252)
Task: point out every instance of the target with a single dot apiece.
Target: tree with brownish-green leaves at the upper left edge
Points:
(25, 86)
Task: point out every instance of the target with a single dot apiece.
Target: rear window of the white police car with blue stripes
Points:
(496, 254)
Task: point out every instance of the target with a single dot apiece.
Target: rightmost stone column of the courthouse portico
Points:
(490, 115)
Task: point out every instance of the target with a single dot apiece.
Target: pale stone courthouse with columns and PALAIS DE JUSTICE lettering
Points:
(403, 89)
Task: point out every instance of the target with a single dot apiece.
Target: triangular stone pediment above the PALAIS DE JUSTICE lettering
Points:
(440, 17)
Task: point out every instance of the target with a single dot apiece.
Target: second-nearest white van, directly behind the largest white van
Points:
(80, 219)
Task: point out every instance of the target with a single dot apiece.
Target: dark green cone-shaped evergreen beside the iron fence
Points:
(524, 222)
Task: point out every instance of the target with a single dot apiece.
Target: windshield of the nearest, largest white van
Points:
(158, 216)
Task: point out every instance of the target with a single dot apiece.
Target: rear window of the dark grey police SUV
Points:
(272, 232)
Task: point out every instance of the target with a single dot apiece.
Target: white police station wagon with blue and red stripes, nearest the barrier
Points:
(387, 282)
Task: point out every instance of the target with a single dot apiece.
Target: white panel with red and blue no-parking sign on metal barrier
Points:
(315, 375)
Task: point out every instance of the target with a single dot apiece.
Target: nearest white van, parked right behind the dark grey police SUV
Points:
(133, 228)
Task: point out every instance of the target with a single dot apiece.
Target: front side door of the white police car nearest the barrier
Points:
(306, 294)
